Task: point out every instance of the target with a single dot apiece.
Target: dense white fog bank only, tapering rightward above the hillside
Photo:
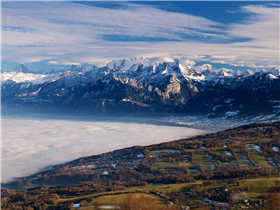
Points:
(31, 144)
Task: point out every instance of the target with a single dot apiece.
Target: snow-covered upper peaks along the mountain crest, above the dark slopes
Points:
(139, 68)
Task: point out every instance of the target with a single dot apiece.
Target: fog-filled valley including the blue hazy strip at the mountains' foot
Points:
(33, 140)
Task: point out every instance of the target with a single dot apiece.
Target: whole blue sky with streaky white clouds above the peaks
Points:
(53, 35)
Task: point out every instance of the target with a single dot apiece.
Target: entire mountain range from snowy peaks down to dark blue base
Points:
(140, 86)
